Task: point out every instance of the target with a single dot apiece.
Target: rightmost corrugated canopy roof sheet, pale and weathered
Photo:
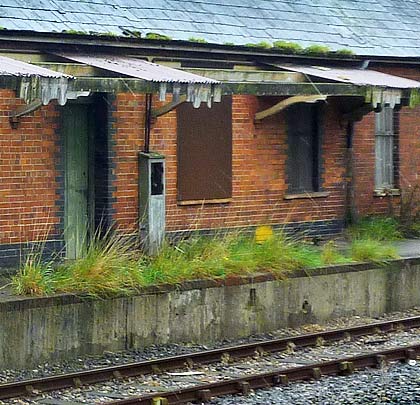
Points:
(359, 77)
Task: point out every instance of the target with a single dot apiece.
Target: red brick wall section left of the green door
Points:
(30, 207)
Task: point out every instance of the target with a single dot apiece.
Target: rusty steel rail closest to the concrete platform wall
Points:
(98, 375)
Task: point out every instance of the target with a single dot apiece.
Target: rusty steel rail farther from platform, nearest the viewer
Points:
(243, 385)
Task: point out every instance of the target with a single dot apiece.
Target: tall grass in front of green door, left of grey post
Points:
(107, 267)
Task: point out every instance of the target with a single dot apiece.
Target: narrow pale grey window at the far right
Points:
(384, 148)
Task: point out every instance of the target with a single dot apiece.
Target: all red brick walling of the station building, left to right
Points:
(29, 188)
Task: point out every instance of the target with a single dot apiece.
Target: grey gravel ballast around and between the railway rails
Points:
(216, 372)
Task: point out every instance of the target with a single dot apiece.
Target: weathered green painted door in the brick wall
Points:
(76, 209)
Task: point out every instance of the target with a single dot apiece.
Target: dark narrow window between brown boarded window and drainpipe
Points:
(304, 148)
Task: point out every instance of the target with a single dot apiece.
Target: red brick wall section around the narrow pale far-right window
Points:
(407, 159)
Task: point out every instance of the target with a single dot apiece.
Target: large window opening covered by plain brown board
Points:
(205, 151)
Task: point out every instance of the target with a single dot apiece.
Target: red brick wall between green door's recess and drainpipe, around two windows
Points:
(259, 169)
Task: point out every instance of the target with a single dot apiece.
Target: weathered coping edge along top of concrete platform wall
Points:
(14, 302)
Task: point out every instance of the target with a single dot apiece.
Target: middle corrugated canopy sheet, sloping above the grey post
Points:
(140, 69)
